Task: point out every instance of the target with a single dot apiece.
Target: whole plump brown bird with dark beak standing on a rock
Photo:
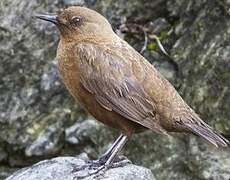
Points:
(117, 85)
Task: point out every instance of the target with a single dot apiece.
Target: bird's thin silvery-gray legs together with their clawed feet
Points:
(106, 159)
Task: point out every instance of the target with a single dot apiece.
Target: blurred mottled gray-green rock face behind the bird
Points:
(39, 119)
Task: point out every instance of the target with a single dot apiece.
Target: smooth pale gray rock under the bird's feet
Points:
(61, 168)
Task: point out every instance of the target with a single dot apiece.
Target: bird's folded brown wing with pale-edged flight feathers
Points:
(110, 78)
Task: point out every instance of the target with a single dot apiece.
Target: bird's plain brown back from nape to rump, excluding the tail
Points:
(166, 99)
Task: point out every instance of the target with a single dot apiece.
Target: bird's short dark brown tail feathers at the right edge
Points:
(207, 133)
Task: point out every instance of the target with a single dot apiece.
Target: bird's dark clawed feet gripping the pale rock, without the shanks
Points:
(96, 168)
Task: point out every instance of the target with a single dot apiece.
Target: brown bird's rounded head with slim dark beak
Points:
(79, 23)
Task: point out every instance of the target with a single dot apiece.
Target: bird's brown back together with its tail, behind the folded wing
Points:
(174, 113)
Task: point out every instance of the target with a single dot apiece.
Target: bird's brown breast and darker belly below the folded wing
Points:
(70, 72)
